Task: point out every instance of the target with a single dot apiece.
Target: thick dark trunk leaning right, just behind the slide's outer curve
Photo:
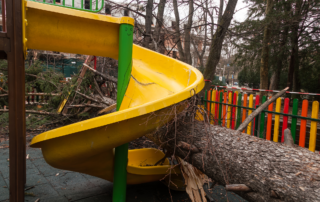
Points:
(217, 40)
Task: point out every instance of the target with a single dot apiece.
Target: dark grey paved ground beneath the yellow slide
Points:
(53, 185)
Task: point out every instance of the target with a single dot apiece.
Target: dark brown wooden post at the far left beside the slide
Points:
(16, 78)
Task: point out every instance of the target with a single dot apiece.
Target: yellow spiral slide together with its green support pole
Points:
(149, 84)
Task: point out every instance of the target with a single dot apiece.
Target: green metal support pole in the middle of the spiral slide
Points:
(124, 74)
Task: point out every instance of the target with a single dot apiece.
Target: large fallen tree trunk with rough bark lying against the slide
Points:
(272, 171)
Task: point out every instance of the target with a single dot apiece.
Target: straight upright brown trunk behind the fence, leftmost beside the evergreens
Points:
(264, 68)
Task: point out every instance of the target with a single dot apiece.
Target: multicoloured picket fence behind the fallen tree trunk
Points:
(229, 109)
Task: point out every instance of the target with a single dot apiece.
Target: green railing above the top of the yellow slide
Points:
(93, 5)
